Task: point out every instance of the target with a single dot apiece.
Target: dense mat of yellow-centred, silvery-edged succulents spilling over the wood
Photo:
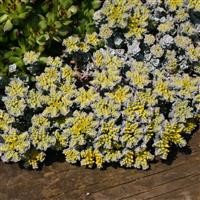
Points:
(124, 94)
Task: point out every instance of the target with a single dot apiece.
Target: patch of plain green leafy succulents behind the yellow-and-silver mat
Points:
(40, 25)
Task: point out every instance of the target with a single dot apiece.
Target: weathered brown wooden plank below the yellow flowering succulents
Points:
(60, 181)
